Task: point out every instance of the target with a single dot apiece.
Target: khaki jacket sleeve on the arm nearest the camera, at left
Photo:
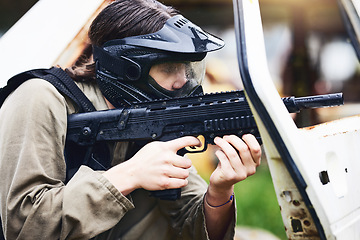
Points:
(35, 203)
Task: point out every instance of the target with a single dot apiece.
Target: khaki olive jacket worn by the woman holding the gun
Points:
(35, 202)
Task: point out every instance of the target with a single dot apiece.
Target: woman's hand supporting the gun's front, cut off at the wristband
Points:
(238, 159)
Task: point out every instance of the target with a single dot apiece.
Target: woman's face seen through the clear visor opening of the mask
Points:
(171, 76)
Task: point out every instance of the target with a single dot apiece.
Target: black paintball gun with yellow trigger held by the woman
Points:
(207, 115)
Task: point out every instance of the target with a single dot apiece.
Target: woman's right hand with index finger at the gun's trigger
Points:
(154, 167)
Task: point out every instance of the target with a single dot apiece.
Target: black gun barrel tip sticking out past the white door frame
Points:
(327, 100)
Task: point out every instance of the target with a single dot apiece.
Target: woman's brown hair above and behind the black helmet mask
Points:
(120, 19)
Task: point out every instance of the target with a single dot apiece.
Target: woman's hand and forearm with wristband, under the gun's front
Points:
(238, 159)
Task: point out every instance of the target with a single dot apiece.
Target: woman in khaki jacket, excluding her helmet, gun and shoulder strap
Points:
(113, 204)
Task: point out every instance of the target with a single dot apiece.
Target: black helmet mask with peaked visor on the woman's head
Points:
(123, 65)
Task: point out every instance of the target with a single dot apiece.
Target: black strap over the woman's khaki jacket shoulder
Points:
(57, 77)
